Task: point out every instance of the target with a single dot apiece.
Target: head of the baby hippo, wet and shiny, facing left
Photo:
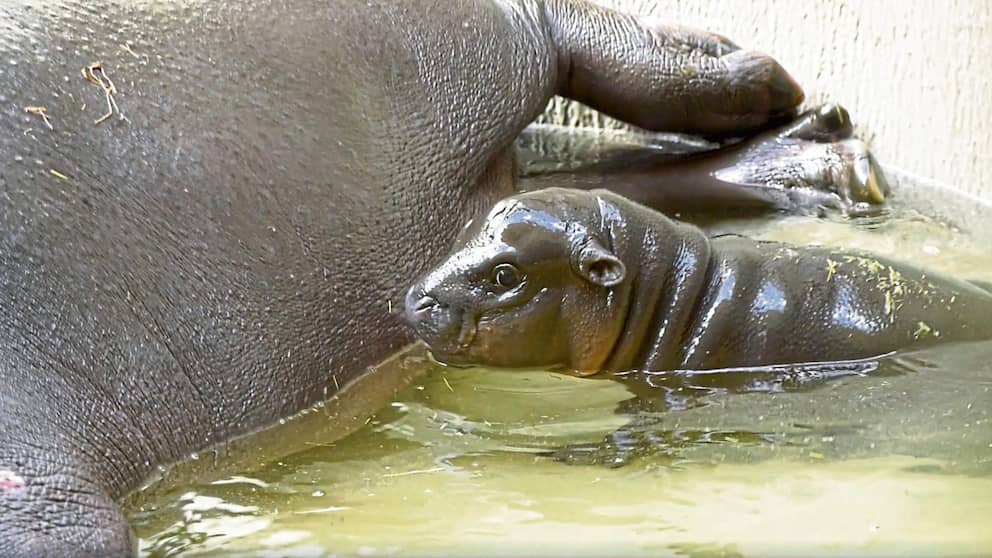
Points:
(534, 284)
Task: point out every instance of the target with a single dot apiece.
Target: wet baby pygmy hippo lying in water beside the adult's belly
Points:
(593, 282)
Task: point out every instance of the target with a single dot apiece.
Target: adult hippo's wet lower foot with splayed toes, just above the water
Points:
(812, 163)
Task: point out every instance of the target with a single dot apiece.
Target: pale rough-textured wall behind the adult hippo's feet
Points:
(916, 76)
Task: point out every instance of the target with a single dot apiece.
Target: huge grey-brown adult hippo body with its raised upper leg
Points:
(226, 255)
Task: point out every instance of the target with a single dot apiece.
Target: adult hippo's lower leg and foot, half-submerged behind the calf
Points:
(807, 165)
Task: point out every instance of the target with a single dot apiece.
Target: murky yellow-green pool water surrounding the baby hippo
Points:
(454, 464)
